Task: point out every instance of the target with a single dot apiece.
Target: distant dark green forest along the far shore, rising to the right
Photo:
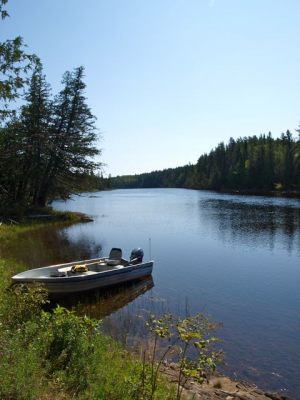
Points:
(247, 164)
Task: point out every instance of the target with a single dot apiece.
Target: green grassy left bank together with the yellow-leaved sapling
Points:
(58, 354)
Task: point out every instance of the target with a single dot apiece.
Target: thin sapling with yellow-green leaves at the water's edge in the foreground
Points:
(184, 335)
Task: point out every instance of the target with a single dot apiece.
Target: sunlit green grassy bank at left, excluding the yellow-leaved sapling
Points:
(47, 355)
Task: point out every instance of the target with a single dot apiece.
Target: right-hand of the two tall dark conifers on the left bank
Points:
(71, 140)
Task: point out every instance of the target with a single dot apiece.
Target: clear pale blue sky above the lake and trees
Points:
(170, 79)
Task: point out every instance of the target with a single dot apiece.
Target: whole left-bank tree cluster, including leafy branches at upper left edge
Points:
(48, 143)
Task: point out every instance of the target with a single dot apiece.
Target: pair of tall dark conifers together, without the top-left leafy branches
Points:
(47, 148)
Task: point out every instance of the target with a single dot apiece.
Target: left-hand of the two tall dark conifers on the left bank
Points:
(24, 142)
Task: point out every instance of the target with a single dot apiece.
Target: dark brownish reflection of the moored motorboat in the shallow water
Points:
(99, 304)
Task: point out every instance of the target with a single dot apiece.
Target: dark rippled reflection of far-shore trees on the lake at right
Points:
(255, 225)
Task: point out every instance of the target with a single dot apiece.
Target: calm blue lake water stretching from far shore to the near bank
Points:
(236, 258)
